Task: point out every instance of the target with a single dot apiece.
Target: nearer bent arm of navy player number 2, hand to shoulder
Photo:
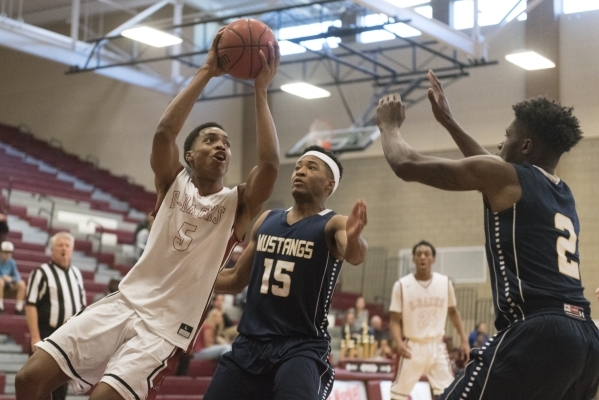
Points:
(492, 176)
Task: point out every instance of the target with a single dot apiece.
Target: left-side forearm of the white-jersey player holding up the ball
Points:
(178, 111)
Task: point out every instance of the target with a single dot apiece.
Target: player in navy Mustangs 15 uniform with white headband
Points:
(292, 263)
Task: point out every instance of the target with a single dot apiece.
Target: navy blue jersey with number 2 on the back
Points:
(532, 250)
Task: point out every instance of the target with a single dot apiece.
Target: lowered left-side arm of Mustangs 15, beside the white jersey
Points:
(233, 280)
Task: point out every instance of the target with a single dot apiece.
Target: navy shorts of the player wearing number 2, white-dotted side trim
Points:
(545, 357)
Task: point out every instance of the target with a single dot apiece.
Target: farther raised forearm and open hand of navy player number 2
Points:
(468, 146)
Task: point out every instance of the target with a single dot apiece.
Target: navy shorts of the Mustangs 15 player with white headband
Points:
(278, 369)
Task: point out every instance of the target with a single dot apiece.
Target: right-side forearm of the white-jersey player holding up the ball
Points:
(266, 136)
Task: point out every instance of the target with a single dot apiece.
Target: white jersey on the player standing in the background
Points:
(423, 305)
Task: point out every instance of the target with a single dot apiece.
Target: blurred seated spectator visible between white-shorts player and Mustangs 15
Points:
(210, 344)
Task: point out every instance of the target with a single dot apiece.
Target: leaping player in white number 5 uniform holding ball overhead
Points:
(129, 340)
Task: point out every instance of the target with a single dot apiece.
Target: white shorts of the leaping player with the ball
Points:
(109, 342)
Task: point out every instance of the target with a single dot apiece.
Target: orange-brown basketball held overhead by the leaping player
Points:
(239, 47)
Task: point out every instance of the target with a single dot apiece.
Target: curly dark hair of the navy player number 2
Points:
(550, 122)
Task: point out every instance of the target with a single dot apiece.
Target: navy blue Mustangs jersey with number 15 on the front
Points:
(293, 278)
